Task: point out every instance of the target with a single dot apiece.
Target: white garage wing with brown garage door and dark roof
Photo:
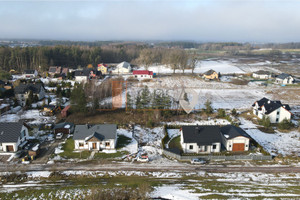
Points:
(235, 138)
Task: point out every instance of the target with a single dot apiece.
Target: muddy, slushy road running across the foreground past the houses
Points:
(97, 166)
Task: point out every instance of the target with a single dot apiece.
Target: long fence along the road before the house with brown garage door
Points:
(215, 157)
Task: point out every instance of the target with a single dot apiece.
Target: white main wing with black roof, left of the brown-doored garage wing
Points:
(200, 139)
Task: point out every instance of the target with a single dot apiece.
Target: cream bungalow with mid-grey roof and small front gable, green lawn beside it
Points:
(95, 137)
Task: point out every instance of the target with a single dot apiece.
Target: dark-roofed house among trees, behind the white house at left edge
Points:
(22, 92)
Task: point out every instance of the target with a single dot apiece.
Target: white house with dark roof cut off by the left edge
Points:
(12, 136)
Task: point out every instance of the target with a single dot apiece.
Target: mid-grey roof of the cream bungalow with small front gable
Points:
(105, 131)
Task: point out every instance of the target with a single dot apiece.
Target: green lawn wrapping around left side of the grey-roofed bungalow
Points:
(69, 153)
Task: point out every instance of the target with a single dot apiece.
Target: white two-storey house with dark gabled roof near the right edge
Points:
(275, 110)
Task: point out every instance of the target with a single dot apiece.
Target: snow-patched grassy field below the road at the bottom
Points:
(197, 185)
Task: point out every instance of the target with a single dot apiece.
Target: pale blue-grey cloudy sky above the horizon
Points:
(198, 20)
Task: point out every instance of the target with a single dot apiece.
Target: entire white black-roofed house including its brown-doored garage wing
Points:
(211, 139)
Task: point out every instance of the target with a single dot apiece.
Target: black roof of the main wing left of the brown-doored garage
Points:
(202, 135)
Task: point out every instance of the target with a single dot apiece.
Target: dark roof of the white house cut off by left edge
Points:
(10, 131)
